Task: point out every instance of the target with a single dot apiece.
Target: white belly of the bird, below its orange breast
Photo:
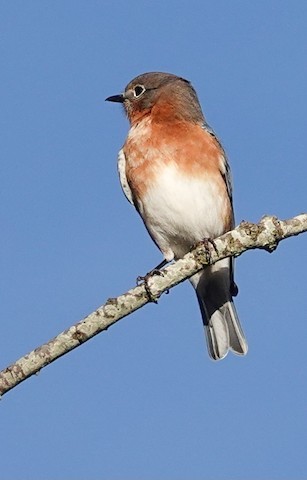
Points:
(180, 212)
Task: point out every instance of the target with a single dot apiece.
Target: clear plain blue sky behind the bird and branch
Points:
(143, 401)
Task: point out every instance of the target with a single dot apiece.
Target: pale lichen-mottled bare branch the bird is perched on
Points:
(264, 235)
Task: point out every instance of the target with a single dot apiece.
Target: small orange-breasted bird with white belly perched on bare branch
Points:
(174, 171)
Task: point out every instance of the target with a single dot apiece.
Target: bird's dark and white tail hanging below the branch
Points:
(220, 318)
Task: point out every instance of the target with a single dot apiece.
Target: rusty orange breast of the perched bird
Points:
(156, 142)
